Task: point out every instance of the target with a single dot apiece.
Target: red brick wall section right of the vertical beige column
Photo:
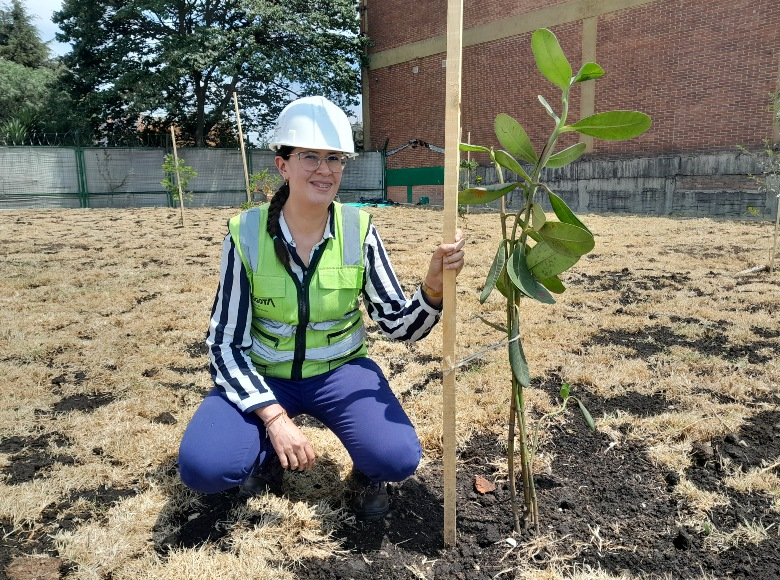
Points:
(702, 70)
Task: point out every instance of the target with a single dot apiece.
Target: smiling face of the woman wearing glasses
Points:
(318, 187)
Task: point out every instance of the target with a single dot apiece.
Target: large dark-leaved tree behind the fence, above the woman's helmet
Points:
(178, 62)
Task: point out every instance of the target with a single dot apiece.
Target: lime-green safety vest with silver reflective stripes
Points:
(323, 307)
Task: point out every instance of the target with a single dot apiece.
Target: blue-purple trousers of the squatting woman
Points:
(221, 445)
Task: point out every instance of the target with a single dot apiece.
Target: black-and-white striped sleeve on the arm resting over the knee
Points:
(228, 337)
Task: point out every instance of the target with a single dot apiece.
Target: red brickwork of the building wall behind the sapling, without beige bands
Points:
(703, 70)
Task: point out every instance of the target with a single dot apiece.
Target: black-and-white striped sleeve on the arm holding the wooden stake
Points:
(399, 318)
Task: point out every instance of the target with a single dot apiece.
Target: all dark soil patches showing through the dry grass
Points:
(603, 505)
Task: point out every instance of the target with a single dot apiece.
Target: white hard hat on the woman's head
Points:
(313, 122)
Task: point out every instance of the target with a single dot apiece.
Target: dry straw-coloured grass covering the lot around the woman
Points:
(116, 302)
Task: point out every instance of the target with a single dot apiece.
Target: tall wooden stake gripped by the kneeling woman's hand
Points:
(451, 176)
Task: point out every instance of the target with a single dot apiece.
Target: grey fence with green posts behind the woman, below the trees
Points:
(80, 177)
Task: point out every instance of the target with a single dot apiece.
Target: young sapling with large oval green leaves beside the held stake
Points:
(535, 251)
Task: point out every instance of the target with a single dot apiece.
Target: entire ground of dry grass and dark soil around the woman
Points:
(102, 364)
